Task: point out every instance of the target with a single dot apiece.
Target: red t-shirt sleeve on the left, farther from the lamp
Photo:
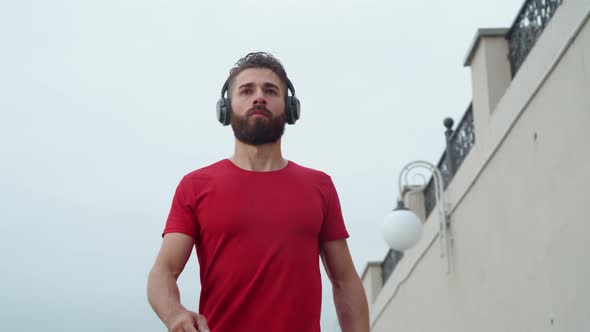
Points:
(182, 217)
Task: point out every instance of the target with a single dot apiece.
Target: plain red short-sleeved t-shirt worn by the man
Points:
(257, 236)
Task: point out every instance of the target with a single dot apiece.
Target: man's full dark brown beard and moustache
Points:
(260, 130)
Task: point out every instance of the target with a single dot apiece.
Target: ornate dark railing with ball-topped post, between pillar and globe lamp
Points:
(459, 143)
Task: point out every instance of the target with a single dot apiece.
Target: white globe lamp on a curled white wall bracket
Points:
(402, 229)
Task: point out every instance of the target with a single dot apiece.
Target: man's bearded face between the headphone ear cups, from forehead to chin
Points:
(258, 106)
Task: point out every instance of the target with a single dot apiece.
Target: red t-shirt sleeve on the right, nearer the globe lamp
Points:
(333, 227)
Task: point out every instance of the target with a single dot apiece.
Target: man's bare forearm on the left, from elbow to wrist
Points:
(163, 294)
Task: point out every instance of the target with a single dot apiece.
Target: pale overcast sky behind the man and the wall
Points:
(106, 104)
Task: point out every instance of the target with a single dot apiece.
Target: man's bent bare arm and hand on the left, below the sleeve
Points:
(162, 289)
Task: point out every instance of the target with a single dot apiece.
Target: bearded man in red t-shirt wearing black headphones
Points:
(259, 224)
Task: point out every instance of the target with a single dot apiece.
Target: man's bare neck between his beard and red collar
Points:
(261, 158)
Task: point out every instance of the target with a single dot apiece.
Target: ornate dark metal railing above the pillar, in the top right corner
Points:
(526, 29)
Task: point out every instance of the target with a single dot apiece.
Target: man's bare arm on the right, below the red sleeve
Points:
(349, 295)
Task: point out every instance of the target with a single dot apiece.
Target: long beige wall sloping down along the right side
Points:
(519, 214)
